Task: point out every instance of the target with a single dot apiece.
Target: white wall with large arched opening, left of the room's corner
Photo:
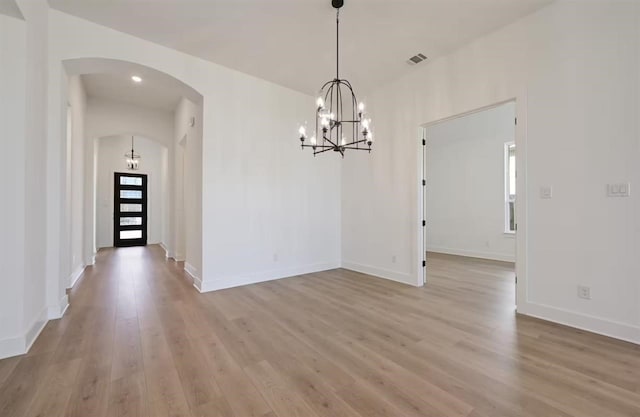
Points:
(268, 210)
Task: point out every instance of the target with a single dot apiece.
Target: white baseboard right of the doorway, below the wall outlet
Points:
(617, 330)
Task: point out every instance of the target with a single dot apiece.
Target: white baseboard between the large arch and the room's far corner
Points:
(254, 278)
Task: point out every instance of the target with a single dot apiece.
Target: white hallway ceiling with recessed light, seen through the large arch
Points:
(151, 92)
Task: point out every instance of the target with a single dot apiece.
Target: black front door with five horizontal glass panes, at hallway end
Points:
(129, 209)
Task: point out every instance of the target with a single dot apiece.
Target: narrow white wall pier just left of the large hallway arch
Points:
(44, 295)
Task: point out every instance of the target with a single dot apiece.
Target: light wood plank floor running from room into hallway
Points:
(138, 340)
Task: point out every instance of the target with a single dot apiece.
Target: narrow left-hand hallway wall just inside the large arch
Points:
(78, 106)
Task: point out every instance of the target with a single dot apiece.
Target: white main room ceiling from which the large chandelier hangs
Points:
(292, 42)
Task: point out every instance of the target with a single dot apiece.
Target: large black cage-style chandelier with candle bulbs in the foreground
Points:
(341, 122)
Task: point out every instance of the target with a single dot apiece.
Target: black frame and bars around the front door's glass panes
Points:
(117, 214)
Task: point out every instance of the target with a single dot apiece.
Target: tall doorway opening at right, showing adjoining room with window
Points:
(469, 187)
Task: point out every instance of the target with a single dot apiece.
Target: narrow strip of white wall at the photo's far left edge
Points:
(12, 180)
